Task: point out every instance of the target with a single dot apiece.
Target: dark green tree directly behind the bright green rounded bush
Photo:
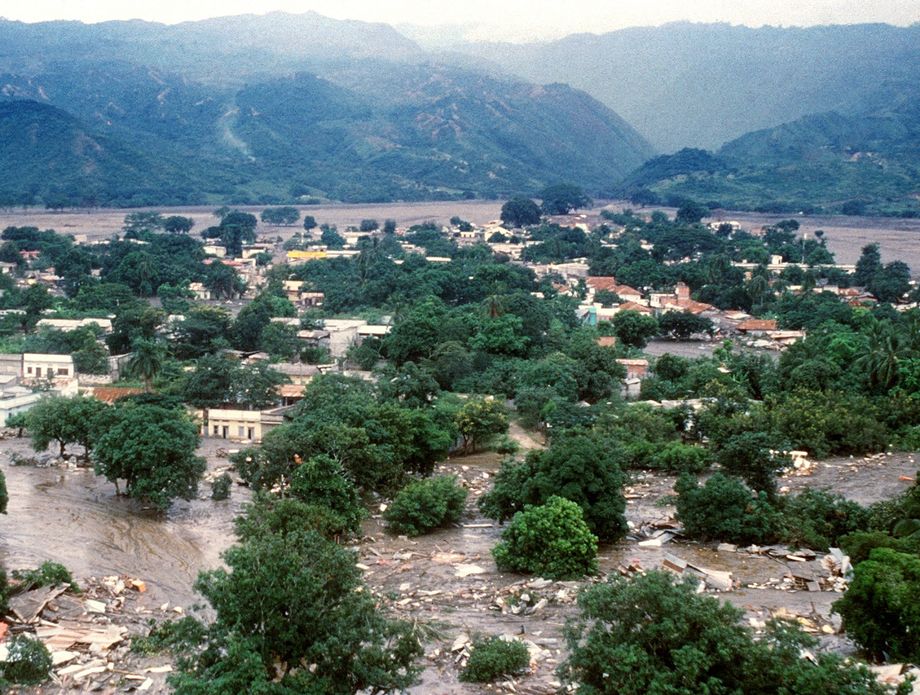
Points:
(579, 466)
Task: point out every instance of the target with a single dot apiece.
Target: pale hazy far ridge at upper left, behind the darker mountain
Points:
(223, 49)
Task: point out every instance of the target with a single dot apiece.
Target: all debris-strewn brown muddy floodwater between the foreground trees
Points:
(445, 581)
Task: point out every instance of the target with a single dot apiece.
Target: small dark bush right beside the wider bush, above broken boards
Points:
(818, 519)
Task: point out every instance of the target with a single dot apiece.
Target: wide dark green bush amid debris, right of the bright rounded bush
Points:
(725, 509)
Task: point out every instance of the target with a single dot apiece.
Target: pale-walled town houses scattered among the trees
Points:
(25, 378)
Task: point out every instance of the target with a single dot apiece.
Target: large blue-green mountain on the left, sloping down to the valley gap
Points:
(265, 109)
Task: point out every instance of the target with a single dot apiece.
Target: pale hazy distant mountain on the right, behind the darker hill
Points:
(702, 85)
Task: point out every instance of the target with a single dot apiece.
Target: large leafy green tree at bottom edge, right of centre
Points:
(654, 634)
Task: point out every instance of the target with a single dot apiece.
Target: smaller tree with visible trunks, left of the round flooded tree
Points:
(64, 420)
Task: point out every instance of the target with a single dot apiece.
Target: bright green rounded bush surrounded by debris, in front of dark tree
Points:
(552, 541)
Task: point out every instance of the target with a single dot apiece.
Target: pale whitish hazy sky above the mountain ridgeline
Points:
(497, 19)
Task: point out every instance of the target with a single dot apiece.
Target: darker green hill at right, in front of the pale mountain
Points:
(863, 164)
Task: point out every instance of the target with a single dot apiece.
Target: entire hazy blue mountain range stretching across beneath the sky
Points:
(279, 107)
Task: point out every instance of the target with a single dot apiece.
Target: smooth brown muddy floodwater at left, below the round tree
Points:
(74, 517)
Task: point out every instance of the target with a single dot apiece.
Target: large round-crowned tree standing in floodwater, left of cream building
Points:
(153, 449)
